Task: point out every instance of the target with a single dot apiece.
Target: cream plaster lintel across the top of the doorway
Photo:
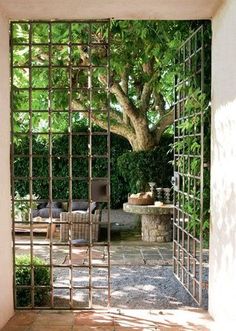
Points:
(118, 9)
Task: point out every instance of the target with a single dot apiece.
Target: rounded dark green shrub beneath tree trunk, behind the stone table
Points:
(139, 168)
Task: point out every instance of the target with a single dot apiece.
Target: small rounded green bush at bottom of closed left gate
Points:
(23, 277)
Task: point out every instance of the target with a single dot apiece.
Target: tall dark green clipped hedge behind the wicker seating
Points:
(60, 166)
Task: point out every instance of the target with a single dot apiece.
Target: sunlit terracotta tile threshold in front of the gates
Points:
(112, 320)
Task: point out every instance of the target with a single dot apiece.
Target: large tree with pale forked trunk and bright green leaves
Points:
(142, 75)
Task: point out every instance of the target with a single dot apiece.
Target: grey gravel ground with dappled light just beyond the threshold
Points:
(133, 287)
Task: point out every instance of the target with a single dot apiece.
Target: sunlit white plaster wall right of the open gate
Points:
(222, 282)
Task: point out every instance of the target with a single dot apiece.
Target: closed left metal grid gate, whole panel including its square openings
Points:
(59, 82)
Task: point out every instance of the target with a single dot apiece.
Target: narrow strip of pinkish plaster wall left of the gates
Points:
(6, 291)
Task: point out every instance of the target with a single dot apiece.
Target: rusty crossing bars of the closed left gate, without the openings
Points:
(31, 243)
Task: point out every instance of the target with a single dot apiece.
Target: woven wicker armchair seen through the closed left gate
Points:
(79, 223)
